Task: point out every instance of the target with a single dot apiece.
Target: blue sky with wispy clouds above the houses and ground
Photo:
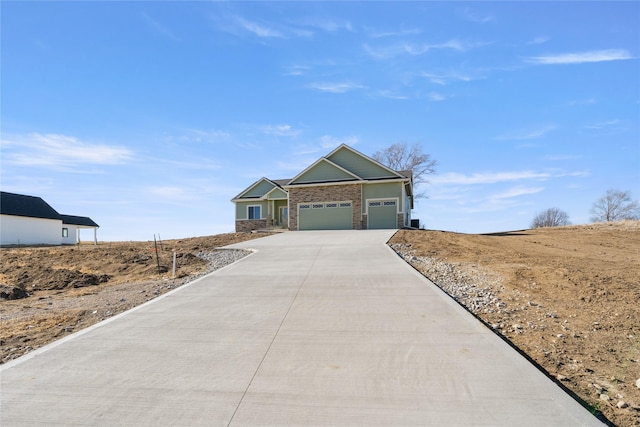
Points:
(150, 116)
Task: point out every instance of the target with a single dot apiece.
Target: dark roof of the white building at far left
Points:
(35, 207)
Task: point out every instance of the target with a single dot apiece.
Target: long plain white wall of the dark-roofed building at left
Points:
(16, 230)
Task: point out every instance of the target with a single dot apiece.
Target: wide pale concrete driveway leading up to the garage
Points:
(315, 328)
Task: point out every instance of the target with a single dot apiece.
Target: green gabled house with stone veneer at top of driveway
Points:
(345, 190)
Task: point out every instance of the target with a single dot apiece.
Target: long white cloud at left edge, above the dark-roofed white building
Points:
(61, 152)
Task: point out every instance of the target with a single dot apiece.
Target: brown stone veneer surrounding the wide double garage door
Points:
(329, 193)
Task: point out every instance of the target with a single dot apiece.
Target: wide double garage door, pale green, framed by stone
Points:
(325, 216)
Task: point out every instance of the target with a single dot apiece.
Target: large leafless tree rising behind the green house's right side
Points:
(400, 157)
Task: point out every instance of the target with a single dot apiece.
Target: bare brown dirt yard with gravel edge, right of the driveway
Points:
(567, 297)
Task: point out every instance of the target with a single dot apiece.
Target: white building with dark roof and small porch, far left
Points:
(29, 220)
